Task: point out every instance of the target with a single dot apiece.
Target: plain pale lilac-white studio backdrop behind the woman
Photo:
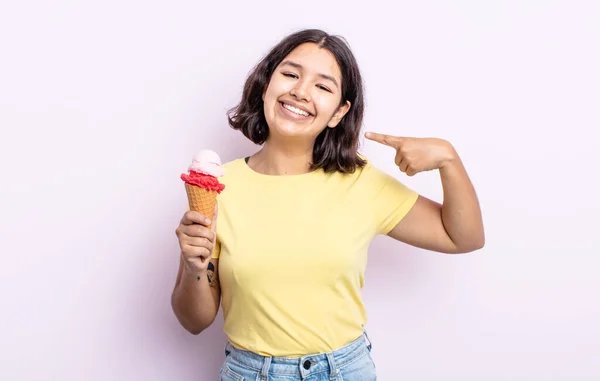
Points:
(103, 104)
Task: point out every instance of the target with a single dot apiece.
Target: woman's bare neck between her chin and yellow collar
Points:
(281, 160)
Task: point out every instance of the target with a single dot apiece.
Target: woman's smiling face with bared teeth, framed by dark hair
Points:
(304, 94)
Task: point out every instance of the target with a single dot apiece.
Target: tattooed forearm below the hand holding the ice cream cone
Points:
(193, 302)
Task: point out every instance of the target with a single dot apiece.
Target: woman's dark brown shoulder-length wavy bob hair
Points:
(335, 149)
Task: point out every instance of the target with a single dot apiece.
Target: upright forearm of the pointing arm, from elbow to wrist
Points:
(461, 213)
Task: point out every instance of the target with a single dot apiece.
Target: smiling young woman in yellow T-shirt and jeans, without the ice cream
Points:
(297, 217)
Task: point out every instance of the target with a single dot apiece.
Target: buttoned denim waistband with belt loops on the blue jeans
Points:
(301, 366)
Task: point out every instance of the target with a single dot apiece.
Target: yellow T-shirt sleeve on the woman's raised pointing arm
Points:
(391, 200)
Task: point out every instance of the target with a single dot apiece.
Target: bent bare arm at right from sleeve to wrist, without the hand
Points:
(454, 227)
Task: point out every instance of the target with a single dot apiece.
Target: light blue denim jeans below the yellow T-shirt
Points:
(352, 362)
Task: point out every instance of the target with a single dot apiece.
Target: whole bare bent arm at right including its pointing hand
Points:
(457, 225)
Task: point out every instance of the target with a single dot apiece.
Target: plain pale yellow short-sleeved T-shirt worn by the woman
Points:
(292, 254)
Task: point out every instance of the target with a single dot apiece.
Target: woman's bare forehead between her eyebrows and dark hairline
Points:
(315, 59)
